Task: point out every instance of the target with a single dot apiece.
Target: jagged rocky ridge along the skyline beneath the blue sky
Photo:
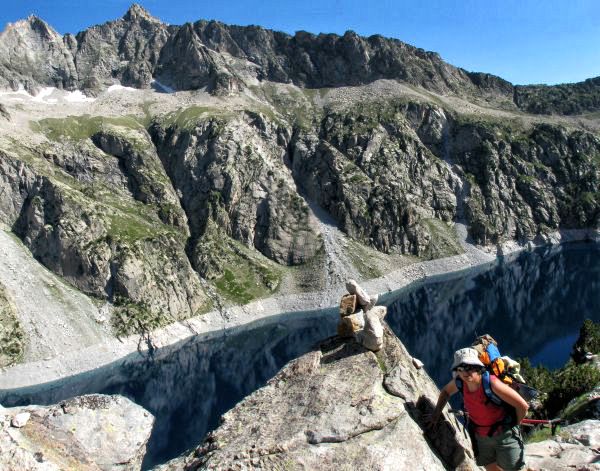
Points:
(138, 48)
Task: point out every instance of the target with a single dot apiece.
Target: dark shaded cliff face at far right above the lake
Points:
(524, 185)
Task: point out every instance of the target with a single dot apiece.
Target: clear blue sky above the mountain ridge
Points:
(523, 41)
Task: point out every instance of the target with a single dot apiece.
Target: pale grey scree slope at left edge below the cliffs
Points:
(56, 318)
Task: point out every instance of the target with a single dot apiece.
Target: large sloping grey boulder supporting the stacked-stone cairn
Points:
(339, 406)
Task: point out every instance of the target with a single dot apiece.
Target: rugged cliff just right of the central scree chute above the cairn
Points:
(375, 176)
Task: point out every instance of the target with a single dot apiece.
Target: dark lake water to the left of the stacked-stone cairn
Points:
(189, 387)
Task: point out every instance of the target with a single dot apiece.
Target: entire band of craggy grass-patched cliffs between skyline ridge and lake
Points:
(154, 219)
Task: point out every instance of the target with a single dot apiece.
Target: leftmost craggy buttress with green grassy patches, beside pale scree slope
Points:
(115, 230)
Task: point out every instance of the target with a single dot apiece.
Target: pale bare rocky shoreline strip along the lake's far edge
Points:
(135, 348)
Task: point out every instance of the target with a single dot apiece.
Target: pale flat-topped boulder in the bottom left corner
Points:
(85, 433)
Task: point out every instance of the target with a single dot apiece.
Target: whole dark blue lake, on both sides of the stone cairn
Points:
(533, 305)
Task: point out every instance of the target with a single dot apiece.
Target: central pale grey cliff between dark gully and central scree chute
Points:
(231, 175)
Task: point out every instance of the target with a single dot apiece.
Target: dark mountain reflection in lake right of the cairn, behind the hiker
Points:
(524, 304)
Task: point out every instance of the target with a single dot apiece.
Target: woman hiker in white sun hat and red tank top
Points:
(494, 429)
